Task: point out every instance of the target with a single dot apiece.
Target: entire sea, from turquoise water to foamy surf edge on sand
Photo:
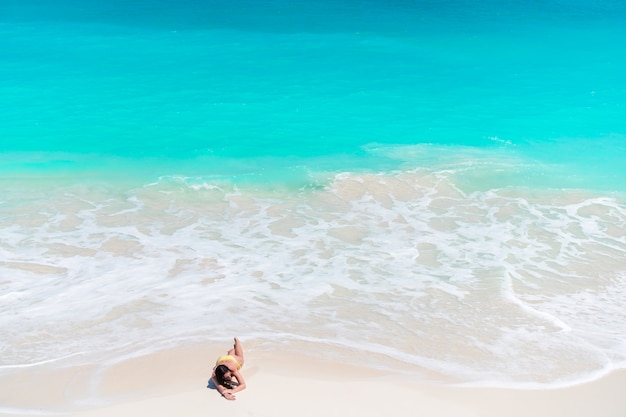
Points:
(429, 187)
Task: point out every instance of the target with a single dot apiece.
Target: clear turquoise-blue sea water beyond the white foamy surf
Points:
(230, 88)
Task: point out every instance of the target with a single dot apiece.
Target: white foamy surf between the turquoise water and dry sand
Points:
(511, 285)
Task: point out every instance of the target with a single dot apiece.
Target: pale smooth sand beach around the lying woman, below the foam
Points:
(174, 383)
